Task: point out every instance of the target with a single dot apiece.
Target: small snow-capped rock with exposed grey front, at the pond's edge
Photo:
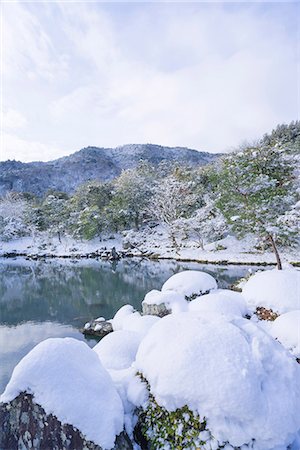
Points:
(162, 303)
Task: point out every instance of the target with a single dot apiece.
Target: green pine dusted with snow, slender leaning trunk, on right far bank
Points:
(255, 187)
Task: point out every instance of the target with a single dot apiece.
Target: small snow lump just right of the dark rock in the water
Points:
(128, 319)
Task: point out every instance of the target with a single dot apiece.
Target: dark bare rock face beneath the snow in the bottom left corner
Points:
(25, 424)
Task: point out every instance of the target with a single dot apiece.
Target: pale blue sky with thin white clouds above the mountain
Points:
(203, 75)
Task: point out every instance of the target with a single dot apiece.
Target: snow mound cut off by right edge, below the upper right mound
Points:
(286, 328)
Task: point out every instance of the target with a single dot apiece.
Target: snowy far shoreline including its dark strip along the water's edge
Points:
(227, 251)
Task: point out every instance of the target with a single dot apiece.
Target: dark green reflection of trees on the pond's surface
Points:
(63, 290)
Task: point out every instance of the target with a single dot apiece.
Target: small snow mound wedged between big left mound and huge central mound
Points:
(117, 350)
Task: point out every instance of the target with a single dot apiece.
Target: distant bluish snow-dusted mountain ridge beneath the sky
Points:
(91, 163)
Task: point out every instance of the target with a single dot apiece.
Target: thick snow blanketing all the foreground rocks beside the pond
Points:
(238, 377)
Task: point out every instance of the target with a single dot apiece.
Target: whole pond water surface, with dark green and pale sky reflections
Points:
(54, 298)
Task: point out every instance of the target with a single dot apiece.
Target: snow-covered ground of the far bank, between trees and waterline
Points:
(153, 243)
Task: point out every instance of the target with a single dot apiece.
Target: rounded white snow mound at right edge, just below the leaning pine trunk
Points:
(274, 289)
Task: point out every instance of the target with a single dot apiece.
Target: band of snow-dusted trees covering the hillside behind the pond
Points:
(254, 189)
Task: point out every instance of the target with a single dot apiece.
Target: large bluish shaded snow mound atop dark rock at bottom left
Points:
(67, 379)
